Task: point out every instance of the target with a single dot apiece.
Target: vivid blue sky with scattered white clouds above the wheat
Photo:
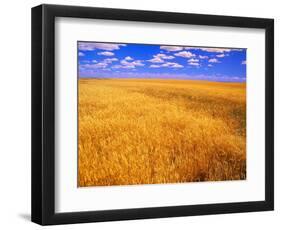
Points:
(116, 60)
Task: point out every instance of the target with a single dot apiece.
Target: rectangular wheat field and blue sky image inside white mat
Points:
(154, 114)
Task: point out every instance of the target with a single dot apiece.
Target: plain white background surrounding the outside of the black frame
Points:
(15, 114)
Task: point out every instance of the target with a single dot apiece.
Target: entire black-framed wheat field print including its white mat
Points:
(142, 114)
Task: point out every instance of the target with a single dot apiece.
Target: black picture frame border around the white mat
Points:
(43, 114)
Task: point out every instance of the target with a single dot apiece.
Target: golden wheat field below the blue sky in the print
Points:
(148, 131)
